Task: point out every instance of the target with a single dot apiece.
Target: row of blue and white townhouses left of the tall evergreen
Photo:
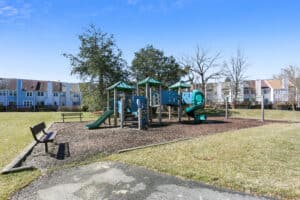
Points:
(22, 93)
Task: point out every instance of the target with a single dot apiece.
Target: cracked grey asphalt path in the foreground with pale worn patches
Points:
(110, 180)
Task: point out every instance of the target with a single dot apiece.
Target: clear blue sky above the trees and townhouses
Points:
(34, 33)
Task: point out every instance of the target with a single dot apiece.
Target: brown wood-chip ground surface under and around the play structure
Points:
(75, 142)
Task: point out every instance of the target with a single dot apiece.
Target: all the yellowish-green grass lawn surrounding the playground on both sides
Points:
(262, 160)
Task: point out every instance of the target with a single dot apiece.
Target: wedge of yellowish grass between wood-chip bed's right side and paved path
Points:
(263, 160)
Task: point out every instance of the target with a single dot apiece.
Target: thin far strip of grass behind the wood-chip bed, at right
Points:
(269, 114)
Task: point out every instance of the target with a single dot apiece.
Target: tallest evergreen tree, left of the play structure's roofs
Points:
(99, 63)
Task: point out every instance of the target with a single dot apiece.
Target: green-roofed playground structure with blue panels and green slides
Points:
(136, 104)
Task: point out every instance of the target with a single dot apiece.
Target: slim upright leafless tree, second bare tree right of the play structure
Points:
(235, 70)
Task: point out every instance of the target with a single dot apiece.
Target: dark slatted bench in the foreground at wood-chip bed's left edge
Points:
(45, 138)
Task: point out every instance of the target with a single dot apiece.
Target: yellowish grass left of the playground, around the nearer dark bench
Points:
(14, 137)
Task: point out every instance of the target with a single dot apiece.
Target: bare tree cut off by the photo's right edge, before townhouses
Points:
(292, 75)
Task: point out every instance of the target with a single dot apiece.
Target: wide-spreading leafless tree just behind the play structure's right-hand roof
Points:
(203, 67)
